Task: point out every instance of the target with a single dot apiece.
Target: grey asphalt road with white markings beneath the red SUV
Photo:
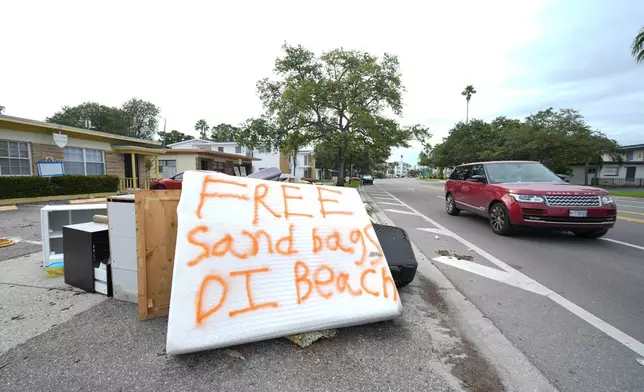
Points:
(575, 307)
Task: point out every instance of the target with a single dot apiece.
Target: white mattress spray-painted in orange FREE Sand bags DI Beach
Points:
(203, 315)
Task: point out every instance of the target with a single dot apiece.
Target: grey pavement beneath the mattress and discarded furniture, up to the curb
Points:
(88, 342)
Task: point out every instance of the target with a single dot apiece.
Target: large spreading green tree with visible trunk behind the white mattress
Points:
(340, 96)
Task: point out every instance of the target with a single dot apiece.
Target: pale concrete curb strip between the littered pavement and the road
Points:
(514, 368)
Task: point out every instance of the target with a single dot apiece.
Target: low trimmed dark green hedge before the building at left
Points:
(32, 186)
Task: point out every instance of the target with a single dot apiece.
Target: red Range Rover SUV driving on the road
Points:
(525, 193)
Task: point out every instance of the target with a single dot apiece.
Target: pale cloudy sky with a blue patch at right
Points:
(201, 59)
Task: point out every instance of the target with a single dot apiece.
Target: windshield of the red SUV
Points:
(519, 172)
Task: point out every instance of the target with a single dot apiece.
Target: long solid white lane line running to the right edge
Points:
(626, 340)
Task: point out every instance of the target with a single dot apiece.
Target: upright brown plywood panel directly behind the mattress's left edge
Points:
(156, 235)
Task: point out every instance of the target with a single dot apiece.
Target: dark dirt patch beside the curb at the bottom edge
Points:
(475, 372)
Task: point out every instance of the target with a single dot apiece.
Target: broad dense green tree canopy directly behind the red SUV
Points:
(555, 138)
